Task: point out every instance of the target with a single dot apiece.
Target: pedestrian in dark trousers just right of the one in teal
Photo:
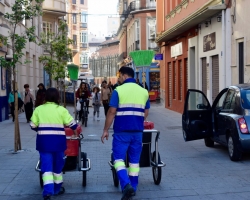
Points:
(28, 102)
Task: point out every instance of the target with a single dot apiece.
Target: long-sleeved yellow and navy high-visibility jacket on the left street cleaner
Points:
(49, 120)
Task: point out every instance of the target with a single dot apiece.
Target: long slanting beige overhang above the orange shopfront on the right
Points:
(189, 22)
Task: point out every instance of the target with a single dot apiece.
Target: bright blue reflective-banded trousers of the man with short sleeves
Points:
(130, 143)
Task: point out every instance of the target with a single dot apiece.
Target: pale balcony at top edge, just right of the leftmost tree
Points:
(55, 7)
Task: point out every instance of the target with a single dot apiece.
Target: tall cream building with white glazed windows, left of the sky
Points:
(77, 20)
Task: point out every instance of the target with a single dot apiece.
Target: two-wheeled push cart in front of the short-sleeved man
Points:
(148, 158)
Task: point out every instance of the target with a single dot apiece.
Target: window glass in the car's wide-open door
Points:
(197, 101)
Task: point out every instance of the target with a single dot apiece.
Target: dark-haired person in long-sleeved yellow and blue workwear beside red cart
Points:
(49, 120)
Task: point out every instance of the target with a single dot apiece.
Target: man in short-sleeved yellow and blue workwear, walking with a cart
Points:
(129, 106)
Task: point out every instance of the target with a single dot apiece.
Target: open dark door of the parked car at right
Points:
(197, 116)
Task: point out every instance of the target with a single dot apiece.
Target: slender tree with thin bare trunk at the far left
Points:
(21, 10)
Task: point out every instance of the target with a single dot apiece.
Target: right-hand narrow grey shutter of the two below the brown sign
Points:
(215, 77)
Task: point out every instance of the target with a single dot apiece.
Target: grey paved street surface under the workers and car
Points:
(192, 170)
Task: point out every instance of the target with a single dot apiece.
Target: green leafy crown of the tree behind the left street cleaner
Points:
(57, 52)
